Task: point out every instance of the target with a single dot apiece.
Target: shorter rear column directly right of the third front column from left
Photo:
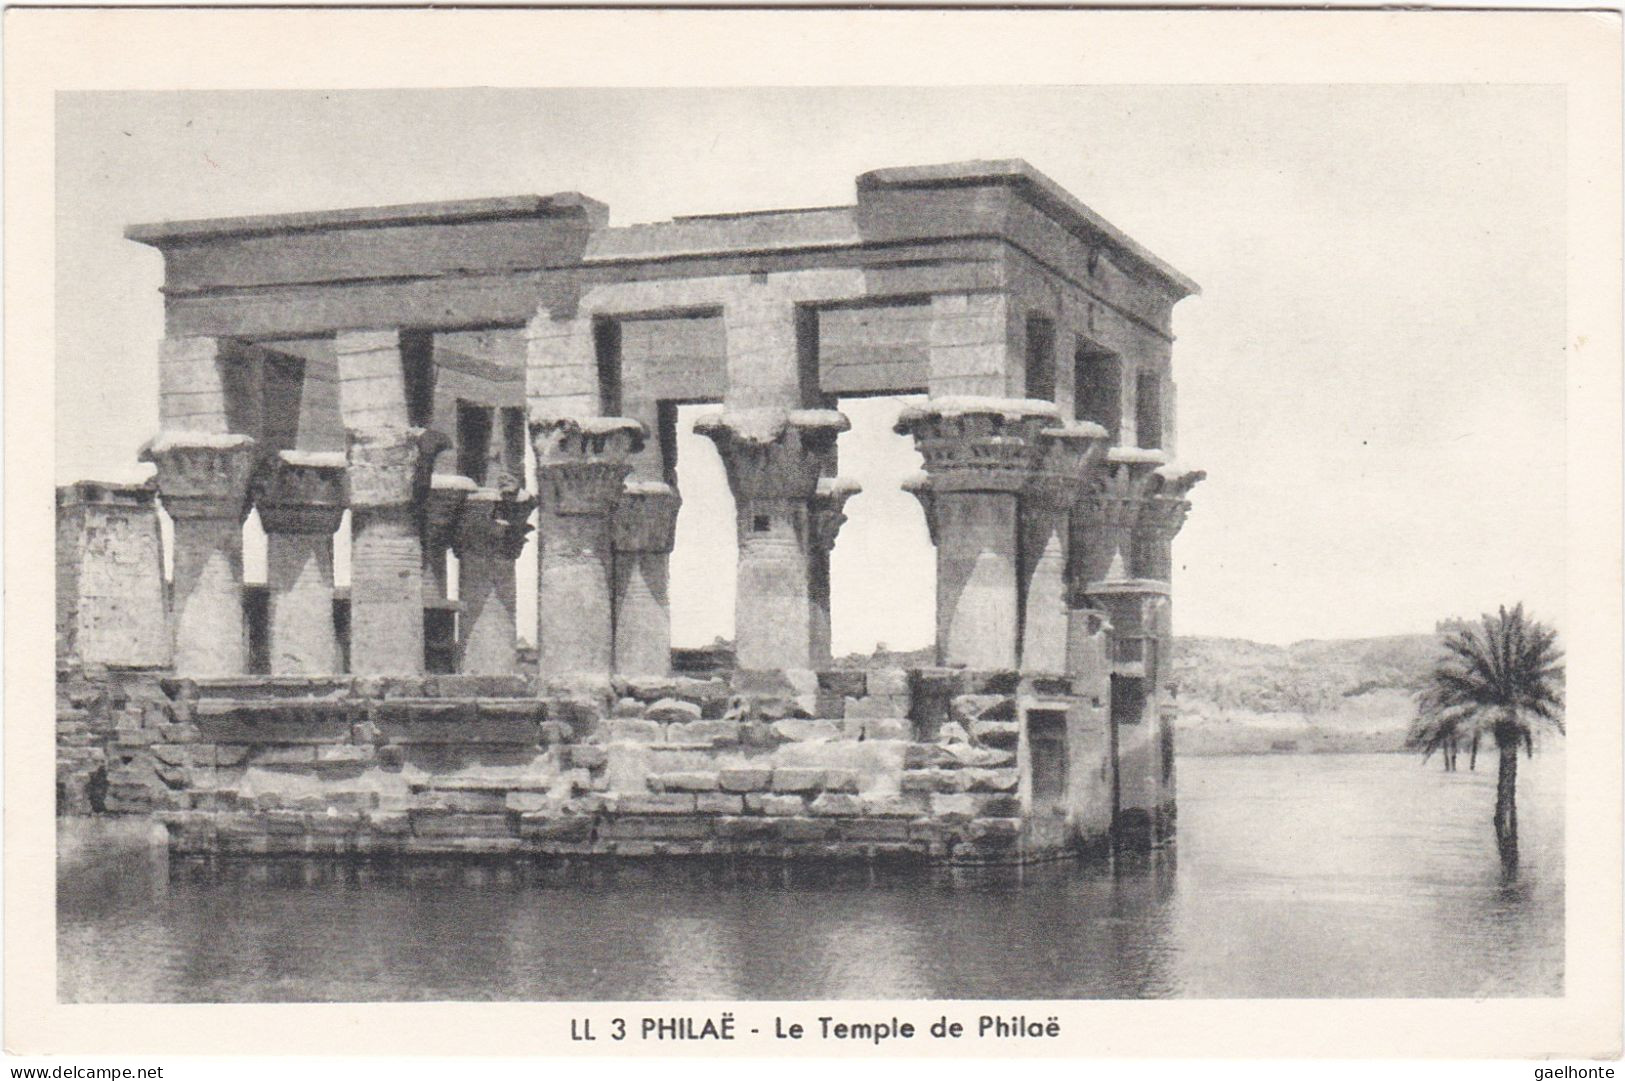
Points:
(646, 524)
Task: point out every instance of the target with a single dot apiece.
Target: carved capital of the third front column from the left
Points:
(583, 462)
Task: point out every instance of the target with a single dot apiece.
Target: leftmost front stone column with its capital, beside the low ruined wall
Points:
(204, 482)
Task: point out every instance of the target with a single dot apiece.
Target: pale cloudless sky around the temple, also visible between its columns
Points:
(1372, 378)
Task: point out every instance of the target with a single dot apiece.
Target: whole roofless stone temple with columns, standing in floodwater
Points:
(401, 363)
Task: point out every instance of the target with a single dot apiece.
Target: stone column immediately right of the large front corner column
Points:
(1068, 456)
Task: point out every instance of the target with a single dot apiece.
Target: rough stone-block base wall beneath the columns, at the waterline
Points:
(940, 766)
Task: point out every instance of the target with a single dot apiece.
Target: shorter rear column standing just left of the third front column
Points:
(488, 539)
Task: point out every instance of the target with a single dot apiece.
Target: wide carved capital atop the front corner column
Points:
(979, 445)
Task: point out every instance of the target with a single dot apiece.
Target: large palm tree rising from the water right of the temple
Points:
(1499, 679)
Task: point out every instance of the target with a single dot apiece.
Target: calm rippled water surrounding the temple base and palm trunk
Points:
(1358, 875)
